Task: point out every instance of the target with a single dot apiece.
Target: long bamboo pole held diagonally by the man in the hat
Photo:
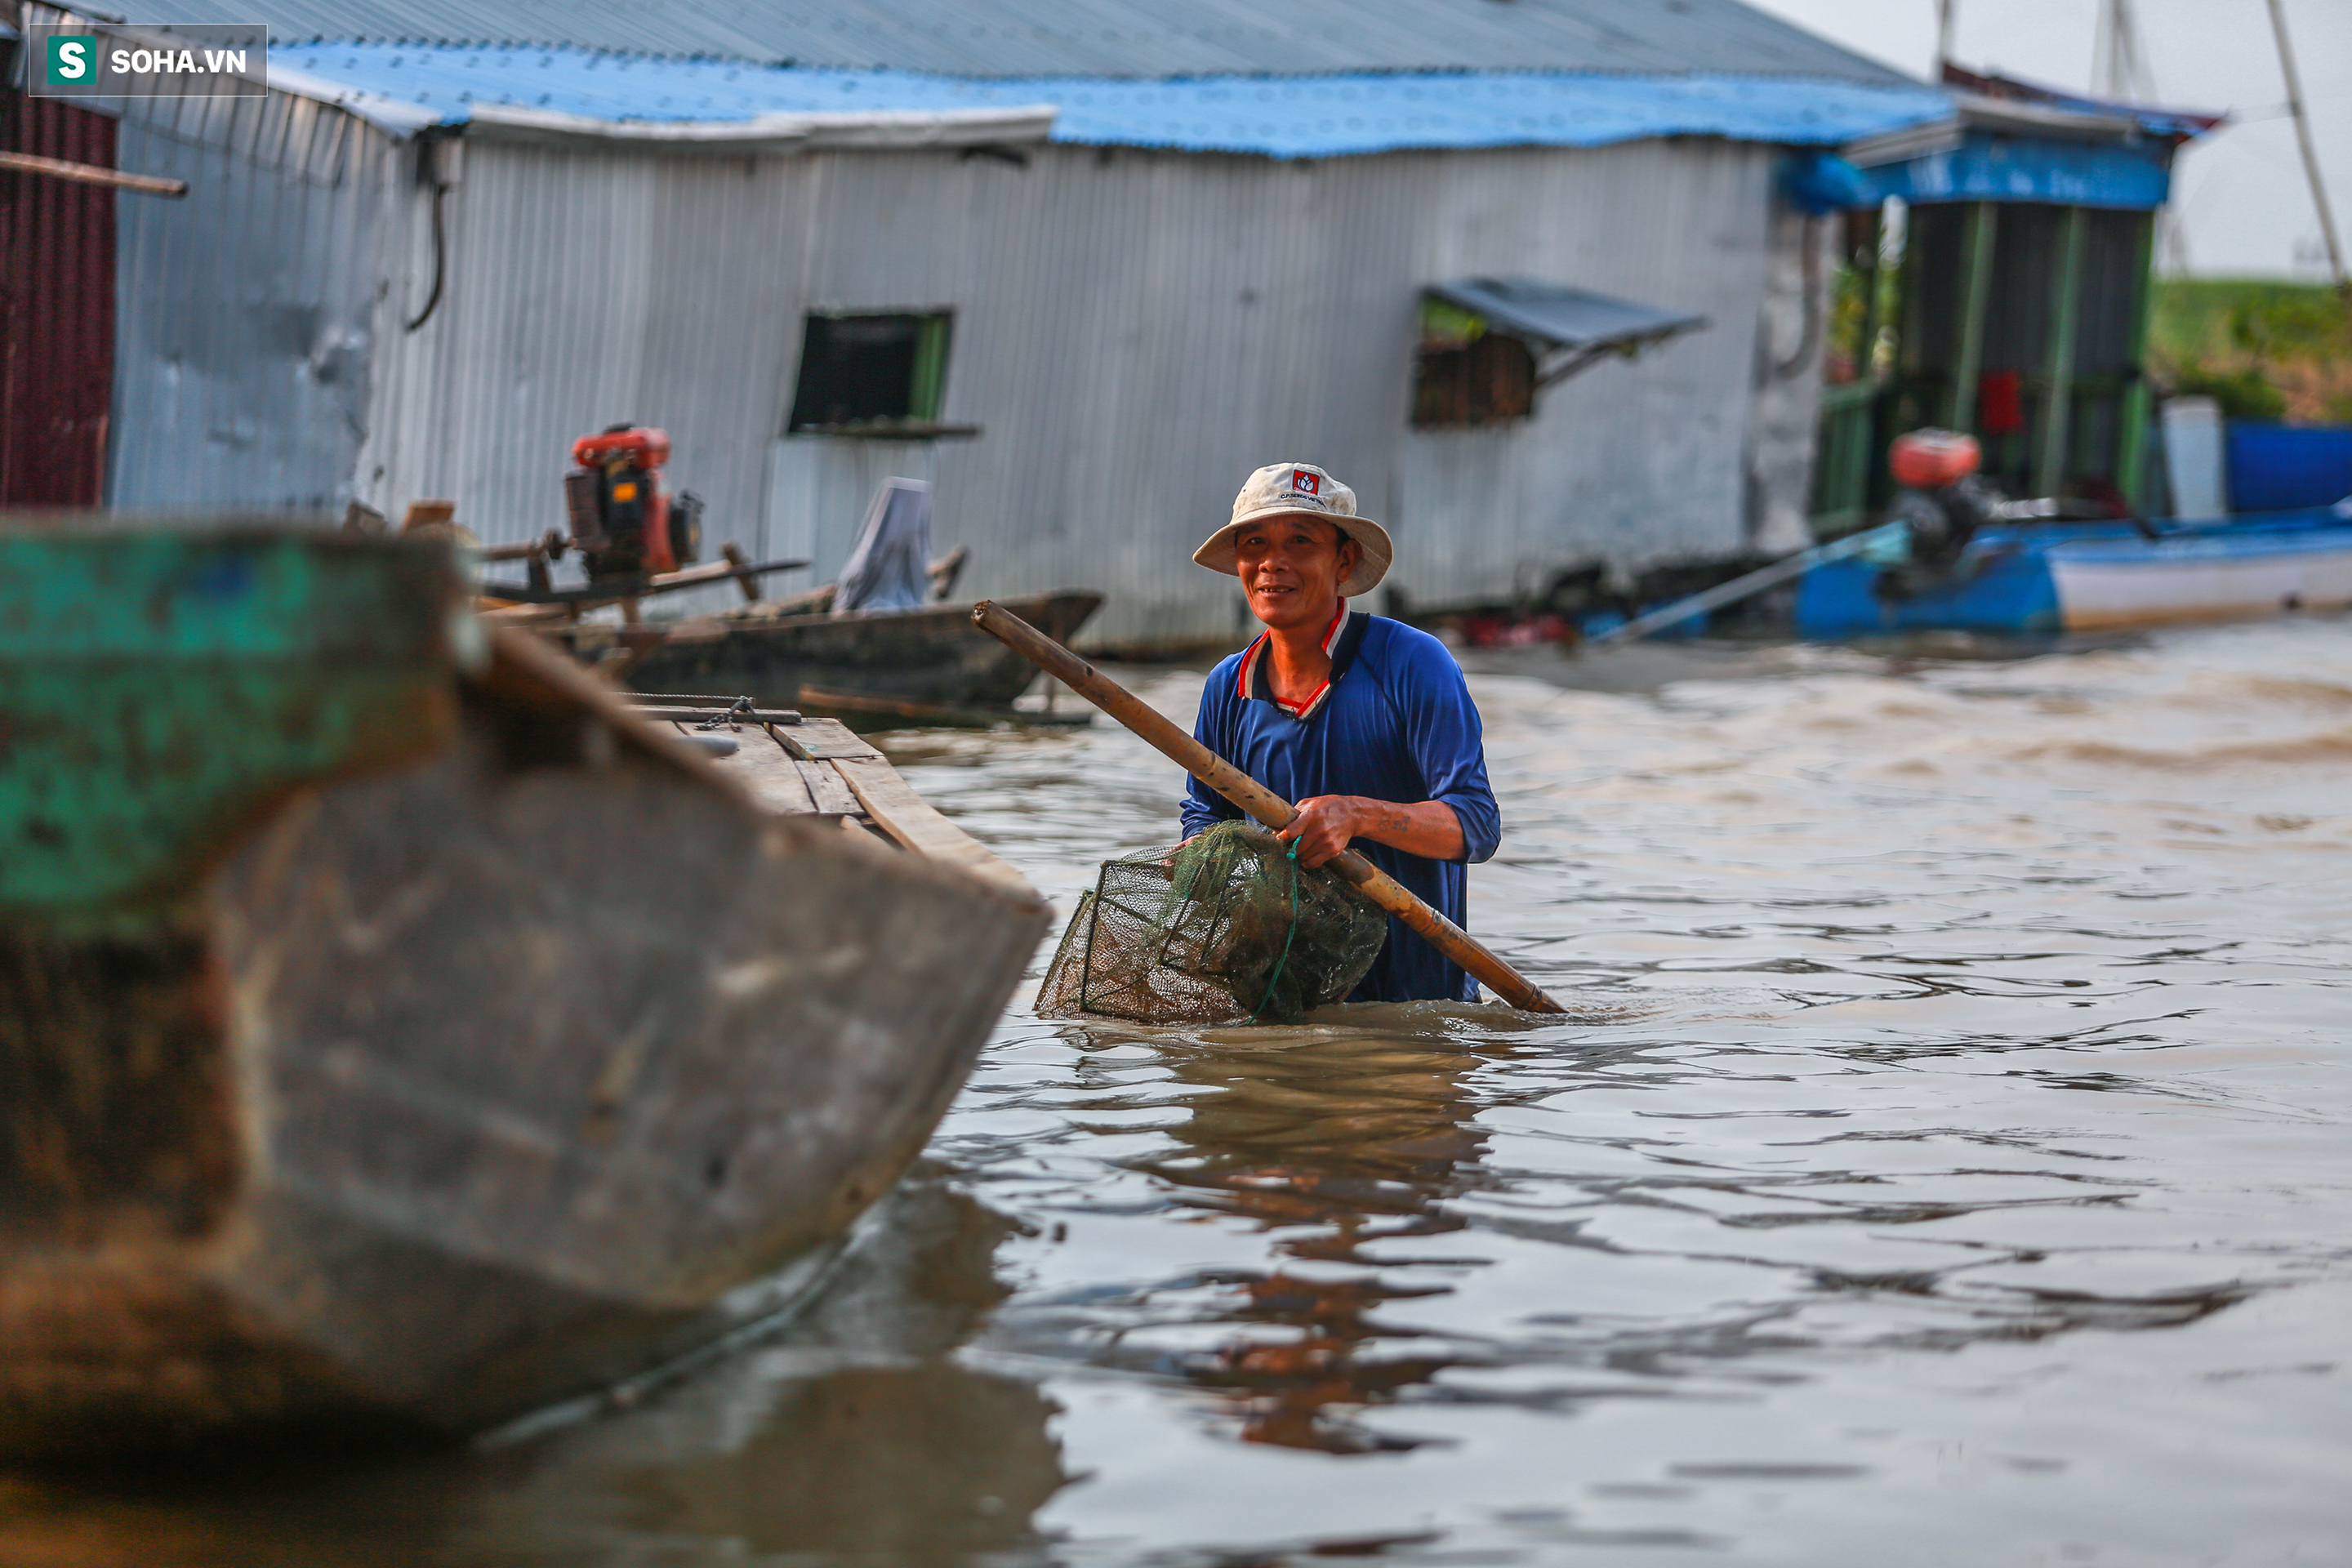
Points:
(1259, 803)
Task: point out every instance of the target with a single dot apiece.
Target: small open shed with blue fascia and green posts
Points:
(2022, 304)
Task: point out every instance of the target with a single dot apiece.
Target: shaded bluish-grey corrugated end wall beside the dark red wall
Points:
(248, 311)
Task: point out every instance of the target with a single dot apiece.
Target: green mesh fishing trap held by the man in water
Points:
(1220, 930)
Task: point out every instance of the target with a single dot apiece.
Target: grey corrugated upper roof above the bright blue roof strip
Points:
(1142, 39)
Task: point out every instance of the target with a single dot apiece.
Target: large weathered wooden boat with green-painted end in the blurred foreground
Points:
(401, 1033)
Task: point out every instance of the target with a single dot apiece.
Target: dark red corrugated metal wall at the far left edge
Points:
(58, 309)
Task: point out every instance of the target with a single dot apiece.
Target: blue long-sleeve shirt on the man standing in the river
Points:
(1394, 723)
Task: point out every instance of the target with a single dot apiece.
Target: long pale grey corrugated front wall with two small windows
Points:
(1135, 333)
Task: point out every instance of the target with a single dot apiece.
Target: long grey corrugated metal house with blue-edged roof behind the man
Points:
(1528, 276)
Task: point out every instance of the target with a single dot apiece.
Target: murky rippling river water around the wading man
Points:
(1946, 1162)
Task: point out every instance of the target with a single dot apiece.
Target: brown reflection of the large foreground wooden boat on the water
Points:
(855, 1435)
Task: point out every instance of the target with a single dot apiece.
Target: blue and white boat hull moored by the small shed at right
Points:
(2102, 577)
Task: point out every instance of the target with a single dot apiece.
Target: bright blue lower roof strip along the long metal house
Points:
(1297, 116)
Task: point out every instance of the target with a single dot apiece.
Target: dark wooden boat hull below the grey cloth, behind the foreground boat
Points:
(921, 657)
